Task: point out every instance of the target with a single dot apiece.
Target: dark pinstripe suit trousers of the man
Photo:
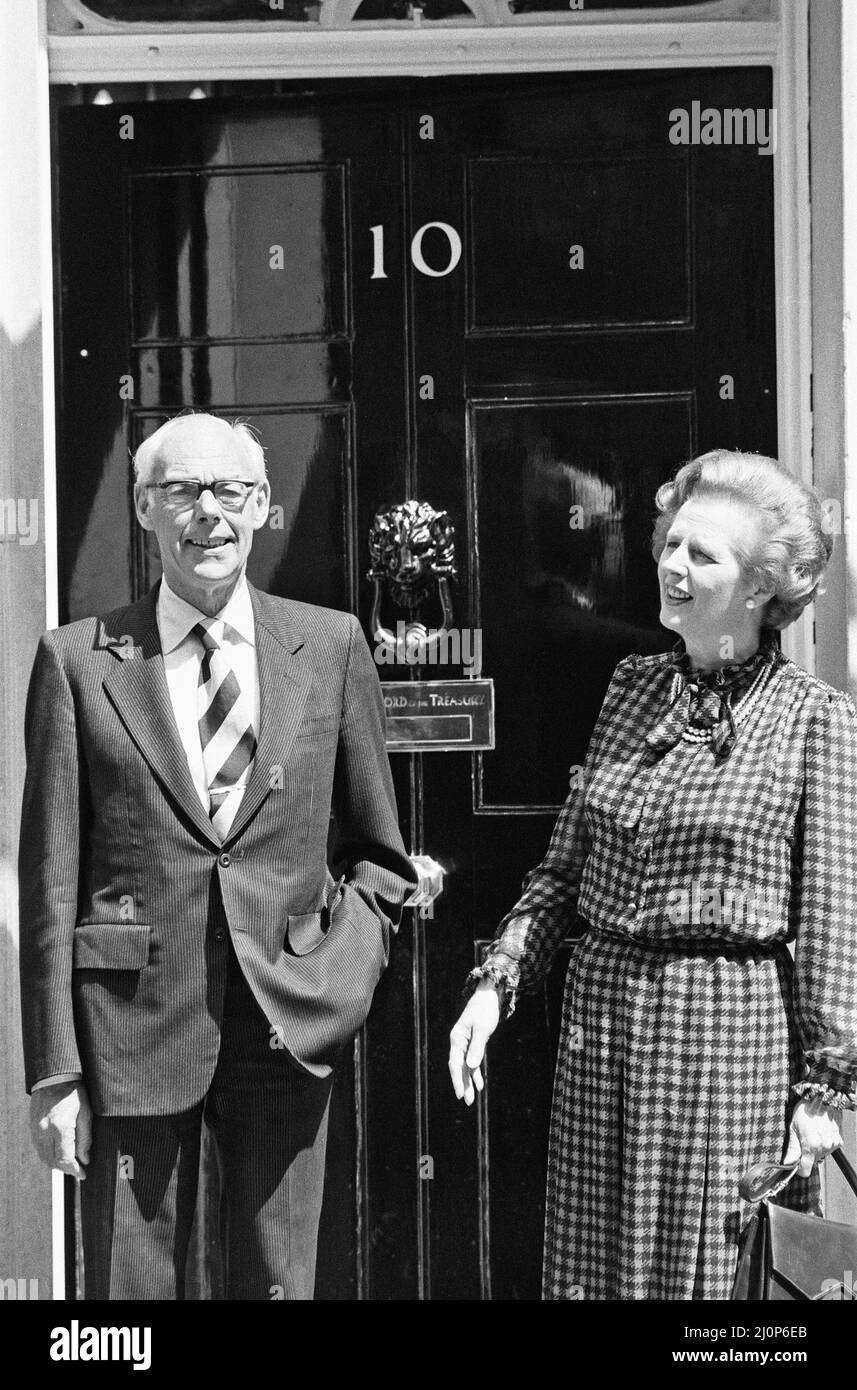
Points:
(269, 1121)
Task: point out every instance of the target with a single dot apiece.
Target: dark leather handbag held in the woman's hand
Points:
(787, 1256)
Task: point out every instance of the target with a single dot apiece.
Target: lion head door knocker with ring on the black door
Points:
(413, 554)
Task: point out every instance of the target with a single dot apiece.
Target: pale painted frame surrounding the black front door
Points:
(155, 56)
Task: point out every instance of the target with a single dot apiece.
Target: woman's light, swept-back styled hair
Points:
(794, 548)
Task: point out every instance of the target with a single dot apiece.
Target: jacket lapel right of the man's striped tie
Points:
(284, 685)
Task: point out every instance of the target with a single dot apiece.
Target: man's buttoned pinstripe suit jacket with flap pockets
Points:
(127, 893)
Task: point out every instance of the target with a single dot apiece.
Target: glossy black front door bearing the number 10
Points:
(520, 302)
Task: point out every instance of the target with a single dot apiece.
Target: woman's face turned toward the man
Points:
(704, 589)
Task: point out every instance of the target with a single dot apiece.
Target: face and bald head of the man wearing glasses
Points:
(203, 544)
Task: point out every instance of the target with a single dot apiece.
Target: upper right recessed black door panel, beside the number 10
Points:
(629, 220)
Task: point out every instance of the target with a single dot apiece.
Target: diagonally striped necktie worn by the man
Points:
(226, 723)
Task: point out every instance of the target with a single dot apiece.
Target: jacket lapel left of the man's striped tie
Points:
(138, 690)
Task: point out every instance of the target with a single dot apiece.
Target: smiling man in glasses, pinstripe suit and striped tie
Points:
(187, 956)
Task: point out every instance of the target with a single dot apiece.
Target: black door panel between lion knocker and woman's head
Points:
(570, 587)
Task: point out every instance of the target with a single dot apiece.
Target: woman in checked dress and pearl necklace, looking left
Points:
(716, 821)
